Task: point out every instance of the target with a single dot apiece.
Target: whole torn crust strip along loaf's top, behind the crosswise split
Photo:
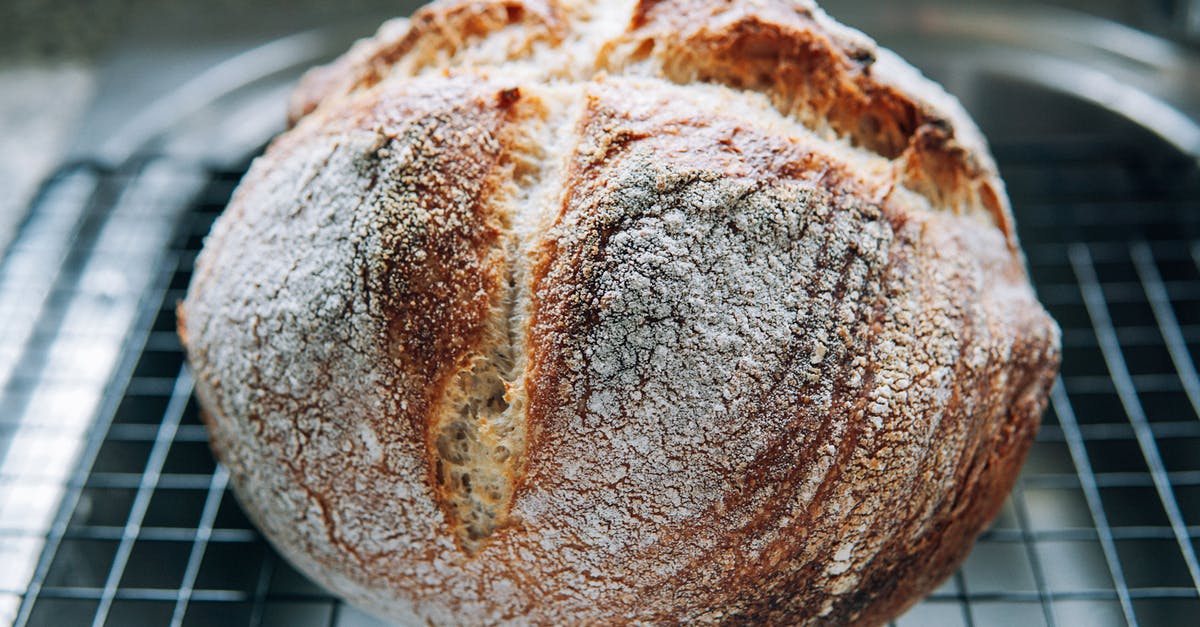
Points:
(829, 77)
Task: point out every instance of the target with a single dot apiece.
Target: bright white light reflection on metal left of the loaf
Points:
(71, 289)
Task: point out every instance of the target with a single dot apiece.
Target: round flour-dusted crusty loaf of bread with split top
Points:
(656, 312)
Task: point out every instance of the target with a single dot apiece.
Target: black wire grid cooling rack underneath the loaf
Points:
(141, 528)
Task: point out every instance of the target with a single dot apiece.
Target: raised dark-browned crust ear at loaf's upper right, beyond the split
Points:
(827, 77)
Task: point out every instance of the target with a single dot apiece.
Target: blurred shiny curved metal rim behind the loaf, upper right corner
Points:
(976, 51)
